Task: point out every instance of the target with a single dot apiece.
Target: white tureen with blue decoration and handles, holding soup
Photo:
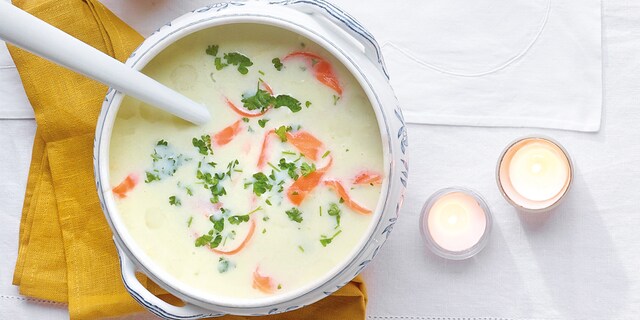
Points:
(350, 43)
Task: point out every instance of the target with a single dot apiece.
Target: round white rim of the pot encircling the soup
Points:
(111, 106)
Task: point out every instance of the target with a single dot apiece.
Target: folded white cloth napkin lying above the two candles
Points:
(522, 63)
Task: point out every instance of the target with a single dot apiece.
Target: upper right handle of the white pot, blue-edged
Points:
(346, 23)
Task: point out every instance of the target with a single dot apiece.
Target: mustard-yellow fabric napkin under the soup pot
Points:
(66, 253)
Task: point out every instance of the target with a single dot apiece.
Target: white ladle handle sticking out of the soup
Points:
(42, 39)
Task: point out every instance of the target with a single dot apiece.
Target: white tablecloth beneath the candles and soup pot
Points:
(581, 262)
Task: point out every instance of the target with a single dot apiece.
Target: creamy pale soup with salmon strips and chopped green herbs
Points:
(276, 191)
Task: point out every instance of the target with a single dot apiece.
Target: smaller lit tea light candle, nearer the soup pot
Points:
(455, 223)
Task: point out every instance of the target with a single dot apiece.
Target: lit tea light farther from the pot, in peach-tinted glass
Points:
(534, 174)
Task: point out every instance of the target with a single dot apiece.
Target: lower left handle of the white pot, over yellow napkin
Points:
(153, 303)
